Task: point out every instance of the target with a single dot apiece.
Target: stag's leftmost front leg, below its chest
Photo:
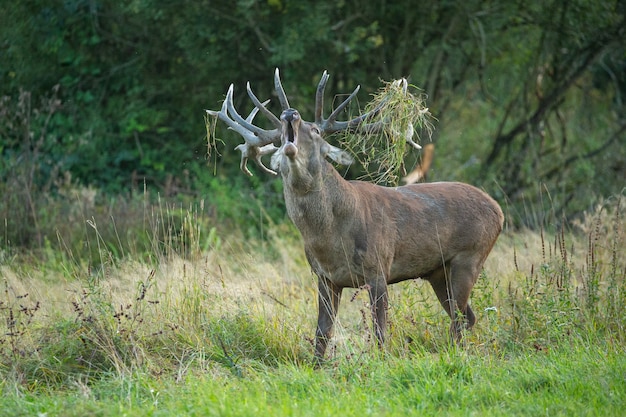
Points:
(329, 297)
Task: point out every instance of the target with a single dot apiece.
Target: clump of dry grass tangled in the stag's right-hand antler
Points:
(403, 115)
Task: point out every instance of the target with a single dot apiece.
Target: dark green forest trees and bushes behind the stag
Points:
(102, 102)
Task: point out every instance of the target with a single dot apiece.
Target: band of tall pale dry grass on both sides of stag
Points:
(202, 301)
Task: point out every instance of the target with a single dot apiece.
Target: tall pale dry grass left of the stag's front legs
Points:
(162, 296)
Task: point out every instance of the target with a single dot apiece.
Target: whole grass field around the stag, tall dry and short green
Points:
(208, 324)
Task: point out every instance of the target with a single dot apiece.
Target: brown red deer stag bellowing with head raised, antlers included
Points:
(357, 234)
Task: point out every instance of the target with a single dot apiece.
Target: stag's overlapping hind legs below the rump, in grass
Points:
(452, 285)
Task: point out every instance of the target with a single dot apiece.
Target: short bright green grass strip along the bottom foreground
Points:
(572, 380)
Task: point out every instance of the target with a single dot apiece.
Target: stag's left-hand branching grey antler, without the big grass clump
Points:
(257, 142)
